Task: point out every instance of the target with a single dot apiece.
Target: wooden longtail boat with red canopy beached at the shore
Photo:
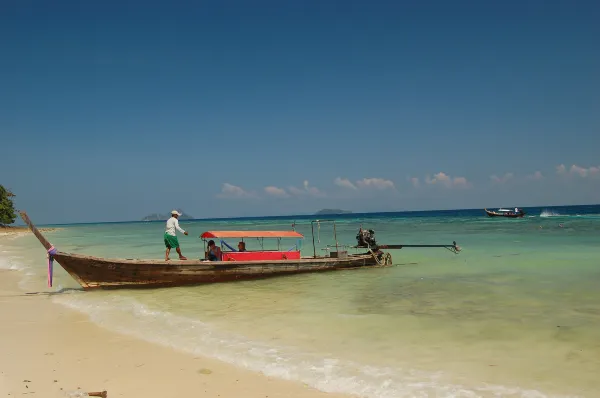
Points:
(104, 273)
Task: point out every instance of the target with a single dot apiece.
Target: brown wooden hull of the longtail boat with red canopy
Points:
(93, 273)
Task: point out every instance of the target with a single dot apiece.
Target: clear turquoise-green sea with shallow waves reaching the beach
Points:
(515, 314)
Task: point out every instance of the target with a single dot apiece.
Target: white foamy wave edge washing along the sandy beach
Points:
(129, 317)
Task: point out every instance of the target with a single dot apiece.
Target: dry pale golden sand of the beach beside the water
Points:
(47, 350)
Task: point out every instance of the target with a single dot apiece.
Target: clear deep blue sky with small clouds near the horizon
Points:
(113, 110)
